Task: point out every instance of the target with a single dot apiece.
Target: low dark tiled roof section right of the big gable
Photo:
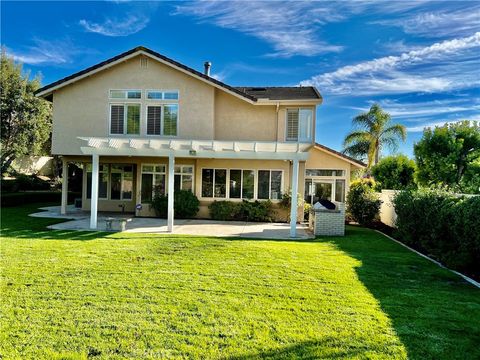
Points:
(282, 93)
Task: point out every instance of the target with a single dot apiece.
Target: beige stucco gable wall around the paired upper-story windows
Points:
(82, 108)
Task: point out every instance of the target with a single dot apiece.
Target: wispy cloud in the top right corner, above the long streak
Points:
(441, 23)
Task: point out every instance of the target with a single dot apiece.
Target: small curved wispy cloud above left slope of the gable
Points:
(130, 24)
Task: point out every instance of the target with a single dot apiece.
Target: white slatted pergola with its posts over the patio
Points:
(171, 150)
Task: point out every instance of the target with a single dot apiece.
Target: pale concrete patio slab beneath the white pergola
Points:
(80, 220)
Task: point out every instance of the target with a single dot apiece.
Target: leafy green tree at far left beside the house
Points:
(25, 119)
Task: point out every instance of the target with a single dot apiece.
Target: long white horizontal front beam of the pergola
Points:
(249, 155)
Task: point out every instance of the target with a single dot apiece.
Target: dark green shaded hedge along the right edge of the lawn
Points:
(441, 225)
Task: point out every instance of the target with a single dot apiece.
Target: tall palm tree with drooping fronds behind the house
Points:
(373, 132)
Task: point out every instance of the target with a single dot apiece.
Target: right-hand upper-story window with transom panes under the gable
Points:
(162, 112)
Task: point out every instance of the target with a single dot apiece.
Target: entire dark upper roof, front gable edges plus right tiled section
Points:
(249, 94)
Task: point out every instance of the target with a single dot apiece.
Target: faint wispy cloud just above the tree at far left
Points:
(47, 52)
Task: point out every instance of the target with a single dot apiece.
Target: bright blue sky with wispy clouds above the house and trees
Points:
(420, 60)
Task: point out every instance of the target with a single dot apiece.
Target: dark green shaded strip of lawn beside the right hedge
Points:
(434, 312)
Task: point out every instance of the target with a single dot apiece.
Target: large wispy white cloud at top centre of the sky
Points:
(290, 27)
